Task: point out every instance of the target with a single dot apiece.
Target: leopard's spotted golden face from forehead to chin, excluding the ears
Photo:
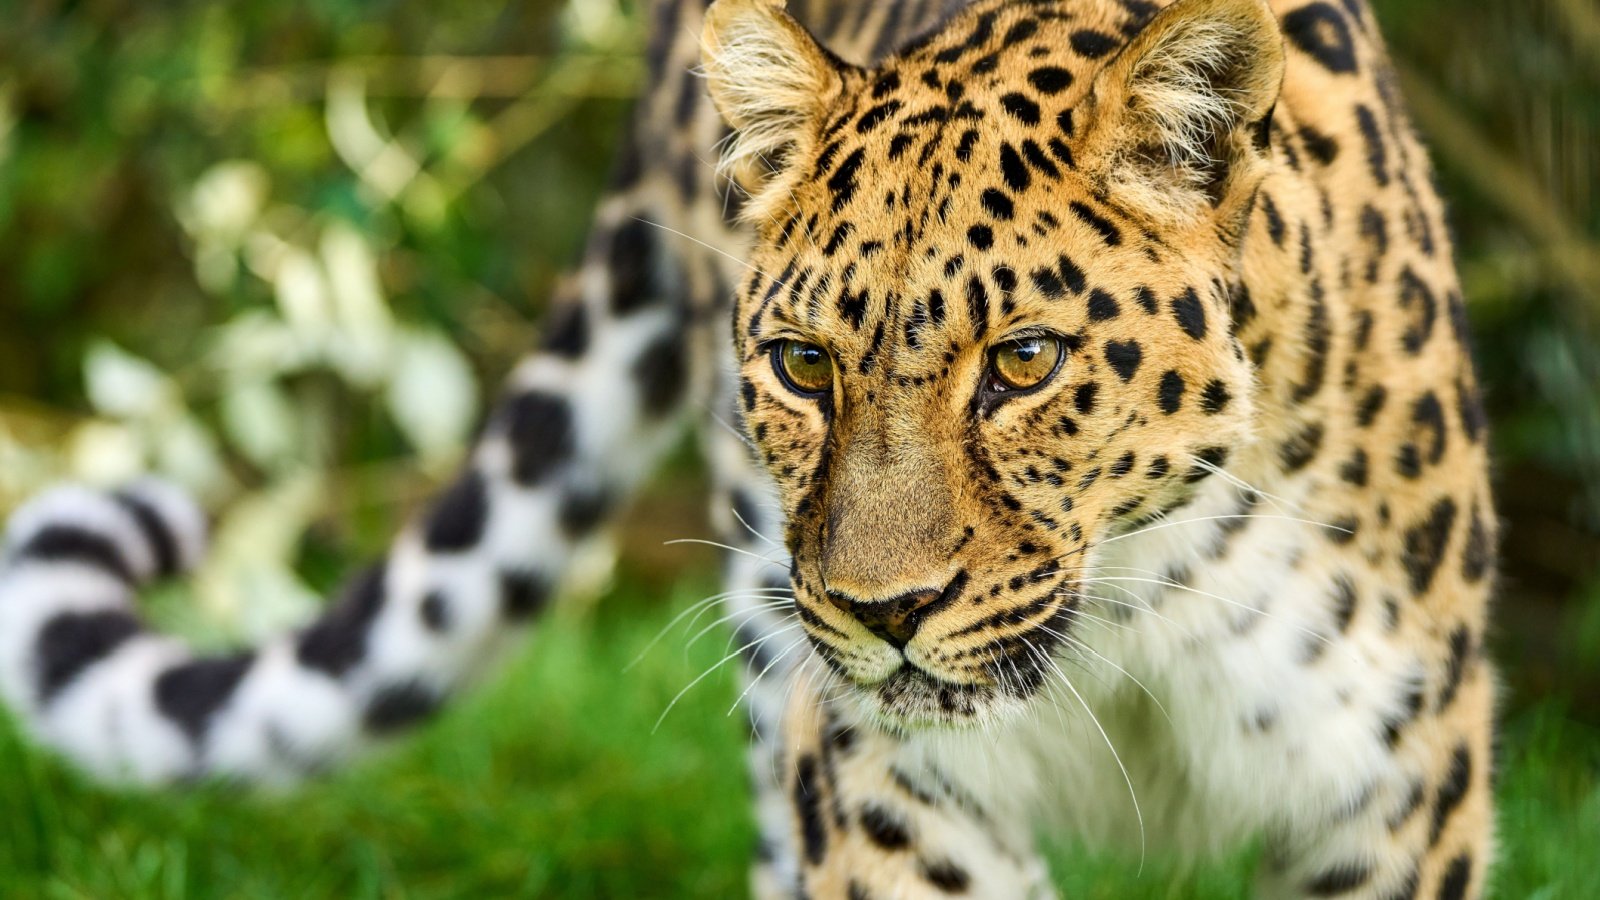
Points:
(967, 364)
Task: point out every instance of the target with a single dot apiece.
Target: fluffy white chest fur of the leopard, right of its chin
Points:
(1233, 702)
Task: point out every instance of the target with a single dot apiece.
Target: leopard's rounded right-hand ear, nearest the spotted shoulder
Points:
(1180, 123)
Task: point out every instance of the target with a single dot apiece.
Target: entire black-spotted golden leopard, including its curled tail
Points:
(1094, 433)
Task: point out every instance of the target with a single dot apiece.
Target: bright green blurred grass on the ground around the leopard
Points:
(548, 782)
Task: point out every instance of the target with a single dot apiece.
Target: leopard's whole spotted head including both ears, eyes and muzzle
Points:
(986, 321)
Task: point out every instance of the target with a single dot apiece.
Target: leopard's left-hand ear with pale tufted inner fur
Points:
(772, 82)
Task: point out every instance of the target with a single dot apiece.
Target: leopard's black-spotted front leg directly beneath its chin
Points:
(873, 821)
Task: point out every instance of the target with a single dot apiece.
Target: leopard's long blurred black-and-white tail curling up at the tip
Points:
(578, 427)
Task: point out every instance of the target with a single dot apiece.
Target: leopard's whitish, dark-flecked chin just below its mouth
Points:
(913, 701)
